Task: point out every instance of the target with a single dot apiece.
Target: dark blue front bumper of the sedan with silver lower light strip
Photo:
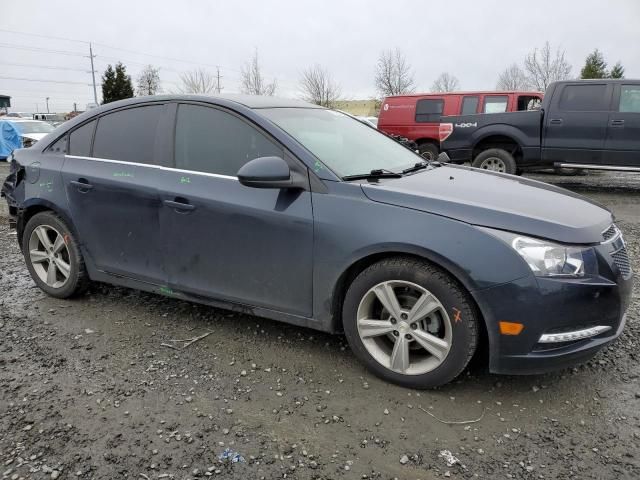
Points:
(573, 313)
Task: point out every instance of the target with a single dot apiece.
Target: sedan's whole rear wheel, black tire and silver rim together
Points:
(62, 253)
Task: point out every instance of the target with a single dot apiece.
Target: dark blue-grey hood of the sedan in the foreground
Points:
(497, 200)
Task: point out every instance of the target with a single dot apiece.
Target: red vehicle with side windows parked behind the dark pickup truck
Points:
(417, 116)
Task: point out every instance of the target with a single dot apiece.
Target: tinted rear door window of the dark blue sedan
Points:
(128, 135)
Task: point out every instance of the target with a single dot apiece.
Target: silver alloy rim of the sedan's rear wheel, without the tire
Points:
(49, 256)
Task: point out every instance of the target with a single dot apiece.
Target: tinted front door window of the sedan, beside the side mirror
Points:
(213, 141)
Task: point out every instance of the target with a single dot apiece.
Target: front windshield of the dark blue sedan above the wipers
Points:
(345, 145)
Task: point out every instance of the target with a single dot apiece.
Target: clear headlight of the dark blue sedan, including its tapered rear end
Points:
(549, 259)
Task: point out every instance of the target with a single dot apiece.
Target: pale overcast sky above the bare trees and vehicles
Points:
(44, 45)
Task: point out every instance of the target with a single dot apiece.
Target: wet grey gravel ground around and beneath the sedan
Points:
(87, 390)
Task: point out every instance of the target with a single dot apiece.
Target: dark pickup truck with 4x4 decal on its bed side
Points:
(590, 124)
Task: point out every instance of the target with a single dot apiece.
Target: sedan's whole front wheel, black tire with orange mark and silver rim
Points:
(375, 345)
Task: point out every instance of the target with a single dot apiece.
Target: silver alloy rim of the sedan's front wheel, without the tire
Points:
(404, 327)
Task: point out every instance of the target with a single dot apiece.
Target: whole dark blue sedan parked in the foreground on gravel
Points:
(296, 213)
